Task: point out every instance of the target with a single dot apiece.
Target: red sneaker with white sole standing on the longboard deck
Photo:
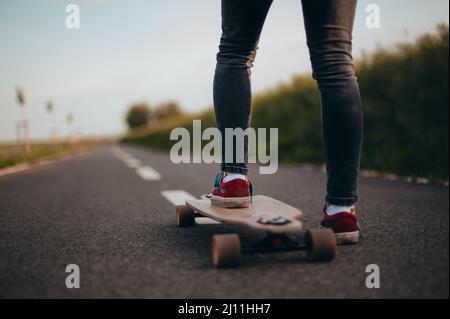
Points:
(233, 194)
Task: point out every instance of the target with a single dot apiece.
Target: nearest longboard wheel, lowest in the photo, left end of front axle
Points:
(226, 250)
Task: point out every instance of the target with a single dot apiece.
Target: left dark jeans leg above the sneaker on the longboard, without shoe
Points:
(242, 22)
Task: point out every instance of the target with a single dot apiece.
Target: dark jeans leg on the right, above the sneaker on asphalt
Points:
(329, 26)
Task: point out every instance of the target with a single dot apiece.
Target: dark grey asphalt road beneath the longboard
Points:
(97, 212)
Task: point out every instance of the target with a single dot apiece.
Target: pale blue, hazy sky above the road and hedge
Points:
(153, 51)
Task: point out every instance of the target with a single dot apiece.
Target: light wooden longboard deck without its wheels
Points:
(264, 213)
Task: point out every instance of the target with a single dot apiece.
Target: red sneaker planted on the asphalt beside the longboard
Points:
(344, 225)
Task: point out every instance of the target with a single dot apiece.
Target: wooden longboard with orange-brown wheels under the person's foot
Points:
(266, 214)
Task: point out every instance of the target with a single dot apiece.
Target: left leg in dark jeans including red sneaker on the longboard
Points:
(242, 22)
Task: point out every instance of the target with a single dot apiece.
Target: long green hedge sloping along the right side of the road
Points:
(405, 97)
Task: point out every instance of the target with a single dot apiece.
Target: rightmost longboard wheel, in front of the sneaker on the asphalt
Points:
(320, 244)
